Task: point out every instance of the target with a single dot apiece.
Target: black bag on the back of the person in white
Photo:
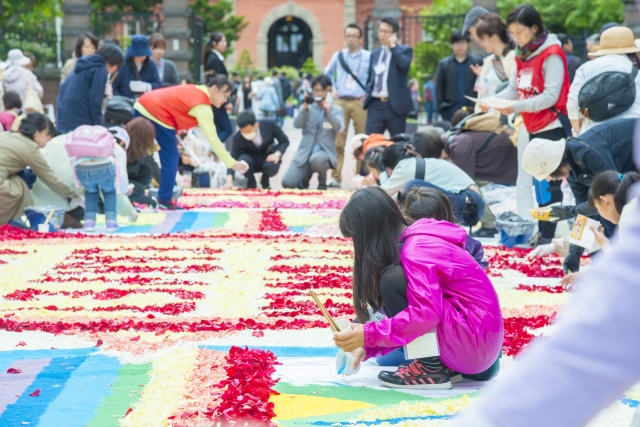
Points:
(607, 95)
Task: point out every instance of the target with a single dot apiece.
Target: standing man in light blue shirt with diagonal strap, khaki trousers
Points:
(351, 69)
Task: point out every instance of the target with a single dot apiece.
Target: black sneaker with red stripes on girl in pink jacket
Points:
(417, 376)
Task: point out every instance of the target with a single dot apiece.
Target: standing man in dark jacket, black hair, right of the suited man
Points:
(455, 78)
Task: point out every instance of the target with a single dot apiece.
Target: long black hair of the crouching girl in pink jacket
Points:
(374, 222)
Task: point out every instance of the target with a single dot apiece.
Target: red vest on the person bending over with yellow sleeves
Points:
(171, 105)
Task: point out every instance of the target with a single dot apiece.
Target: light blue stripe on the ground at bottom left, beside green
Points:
(89, 384)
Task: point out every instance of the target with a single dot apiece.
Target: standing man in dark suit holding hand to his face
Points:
(388, 99)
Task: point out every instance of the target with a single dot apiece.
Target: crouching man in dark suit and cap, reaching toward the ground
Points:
(255, 143)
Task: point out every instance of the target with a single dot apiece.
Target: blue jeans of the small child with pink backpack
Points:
(94, 180)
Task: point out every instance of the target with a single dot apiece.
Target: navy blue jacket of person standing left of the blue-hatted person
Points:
(80, 99)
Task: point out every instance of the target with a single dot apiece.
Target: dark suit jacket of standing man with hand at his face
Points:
(399, 93)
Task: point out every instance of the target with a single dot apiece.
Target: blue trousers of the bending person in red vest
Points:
(169, 158)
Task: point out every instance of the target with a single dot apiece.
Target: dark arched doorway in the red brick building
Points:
(290, 42)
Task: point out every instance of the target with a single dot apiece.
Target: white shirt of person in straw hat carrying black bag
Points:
(590, 69)
